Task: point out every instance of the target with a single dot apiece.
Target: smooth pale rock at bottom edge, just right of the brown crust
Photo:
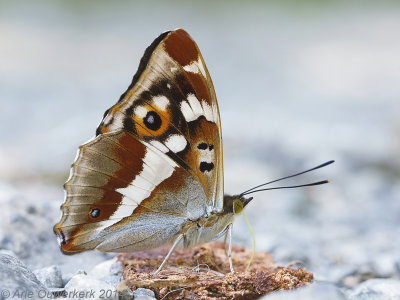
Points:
(316, 290)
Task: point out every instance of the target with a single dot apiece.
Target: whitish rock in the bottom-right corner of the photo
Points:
(376, 289)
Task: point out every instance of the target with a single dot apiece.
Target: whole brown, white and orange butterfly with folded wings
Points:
(153, 175)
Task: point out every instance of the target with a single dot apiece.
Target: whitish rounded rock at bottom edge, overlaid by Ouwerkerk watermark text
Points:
(85, 286)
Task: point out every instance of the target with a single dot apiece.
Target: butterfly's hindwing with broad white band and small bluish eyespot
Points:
(114, 175)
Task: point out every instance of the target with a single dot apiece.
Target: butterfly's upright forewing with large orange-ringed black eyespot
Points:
(172, 105)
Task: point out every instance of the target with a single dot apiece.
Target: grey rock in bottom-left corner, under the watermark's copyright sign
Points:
(16, 279)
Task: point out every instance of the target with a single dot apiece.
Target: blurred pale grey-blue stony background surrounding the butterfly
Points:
(298, 83)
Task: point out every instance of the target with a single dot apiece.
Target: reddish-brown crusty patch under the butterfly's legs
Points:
(203, 273)
